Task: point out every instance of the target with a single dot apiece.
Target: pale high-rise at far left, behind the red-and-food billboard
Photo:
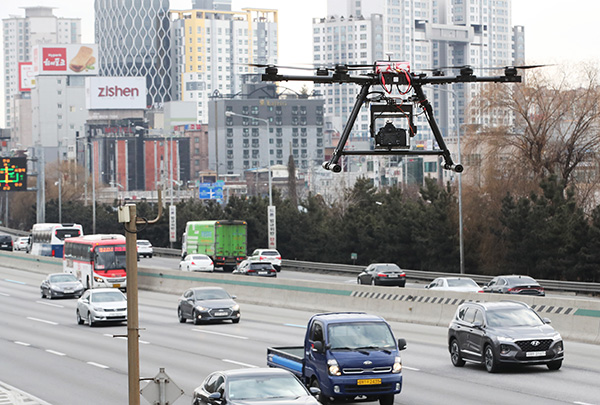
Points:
(20, 34)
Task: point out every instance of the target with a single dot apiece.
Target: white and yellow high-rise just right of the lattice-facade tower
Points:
(213, 49)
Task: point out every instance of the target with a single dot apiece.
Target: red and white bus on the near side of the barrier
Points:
(97, 260)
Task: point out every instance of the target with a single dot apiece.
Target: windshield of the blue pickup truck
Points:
(362, 335)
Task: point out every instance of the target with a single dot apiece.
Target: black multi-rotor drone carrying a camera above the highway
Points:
(397, 97)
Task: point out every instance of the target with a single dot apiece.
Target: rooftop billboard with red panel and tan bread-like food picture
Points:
(68, 59)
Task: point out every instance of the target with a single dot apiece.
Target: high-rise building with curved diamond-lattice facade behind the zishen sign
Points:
(133, 39)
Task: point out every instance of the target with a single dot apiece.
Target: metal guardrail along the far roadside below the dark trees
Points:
(421, 275)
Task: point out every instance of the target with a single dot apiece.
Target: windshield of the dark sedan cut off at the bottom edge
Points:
(253, 388)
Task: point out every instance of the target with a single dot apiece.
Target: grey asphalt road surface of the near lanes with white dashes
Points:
(46, 354)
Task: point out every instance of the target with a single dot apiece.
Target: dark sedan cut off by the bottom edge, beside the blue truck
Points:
(253, 386)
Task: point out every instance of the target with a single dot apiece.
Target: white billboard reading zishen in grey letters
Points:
(110, 93)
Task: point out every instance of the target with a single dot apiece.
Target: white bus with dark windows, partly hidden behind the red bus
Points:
(49, 239)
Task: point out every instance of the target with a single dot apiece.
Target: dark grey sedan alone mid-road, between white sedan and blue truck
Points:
(203, 304)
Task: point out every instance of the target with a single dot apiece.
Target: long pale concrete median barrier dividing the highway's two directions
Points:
(576, 319)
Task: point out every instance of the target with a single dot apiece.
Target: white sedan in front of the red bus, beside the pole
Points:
(101, 305)
